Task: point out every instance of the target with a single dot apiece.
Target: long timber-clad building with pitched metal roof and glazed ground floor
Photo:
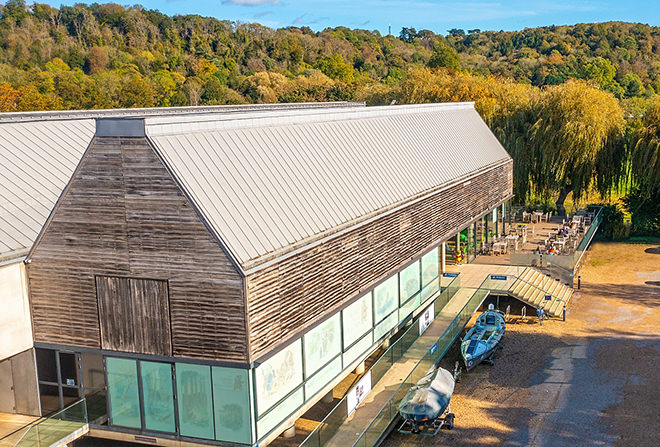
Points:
(214, 274)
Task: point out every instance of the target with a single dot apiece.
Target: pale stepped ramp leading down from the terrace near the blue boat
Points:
(533, 288)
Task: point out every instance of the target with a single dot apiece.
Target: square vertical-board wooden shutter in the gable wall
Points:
(134, 315)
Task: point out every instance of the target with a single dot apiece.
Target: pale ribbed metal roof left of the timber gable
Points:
(37, 160)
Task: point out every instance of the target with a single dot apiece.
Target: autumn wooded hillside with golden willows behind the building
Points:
(576, 106)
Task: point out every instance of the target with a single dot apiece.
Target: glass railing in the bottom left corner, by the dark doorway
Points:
(62, 424)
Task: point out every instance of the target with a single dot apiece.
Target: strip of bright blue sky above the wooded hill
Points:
(436, 15)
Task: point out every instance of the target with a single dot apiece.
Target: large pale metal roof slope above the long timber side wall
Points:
(270, 182)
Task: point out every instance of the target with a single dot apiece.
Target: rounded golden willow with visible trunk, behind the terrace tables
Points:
(577, 128)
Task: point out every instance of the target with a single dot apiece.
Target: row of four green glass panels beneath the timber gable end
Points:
(212, 402)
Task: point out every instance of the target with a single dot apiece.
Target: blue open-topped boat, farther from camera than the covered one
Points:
(481, 341)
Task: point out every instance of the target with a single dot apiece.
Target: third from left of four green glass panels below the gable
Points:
(193, 388)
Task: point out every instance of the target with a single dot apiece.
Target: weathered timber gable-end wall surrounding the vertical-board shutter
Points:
(123, 215)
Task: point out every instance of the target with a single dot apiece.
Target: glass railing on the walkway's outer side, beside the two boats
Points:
(380, 425)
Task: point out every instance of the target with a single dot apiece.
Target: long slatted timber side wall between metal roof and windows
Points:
(287, 297)
